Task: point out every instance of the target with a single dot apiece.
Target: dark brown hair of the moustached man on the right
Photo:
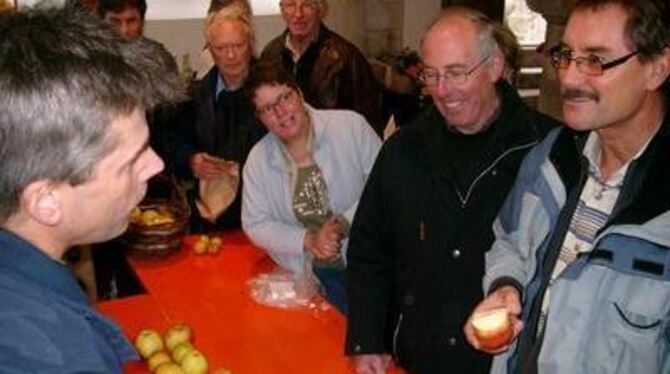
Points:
(647, 29)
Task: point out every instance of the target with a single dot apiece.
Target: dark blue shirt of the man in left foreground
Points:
(46, 322)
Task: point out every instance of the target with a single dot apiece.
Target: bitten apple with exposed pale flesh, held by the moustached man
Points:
(493, 328)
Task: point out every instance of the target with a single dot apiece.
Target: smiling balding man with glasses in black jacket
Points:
(416, 253)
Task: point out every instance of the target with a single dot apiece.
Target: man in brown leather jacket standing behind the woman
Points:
(331, 72)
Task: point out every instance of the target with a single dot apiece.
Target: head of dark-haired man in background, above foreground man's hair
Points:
(126, 16)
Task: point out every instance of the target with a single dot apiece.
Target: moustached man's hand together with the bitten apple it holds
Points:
(494, 323)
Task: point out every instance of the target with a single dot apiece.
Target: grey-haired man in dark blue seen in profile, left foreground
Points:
(75, 161)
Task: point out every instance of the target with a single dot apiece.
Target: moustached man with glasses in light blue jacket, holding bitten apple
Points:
(581, 259)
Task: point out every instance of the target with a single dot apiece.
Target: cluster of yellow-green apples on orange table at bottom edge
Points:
(174, 352)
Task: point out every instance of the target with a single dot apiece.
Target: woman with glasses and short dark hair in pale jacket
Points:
(302, 181)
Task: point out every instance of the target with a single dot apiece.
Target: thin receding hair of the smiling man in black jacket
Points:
(486, 42)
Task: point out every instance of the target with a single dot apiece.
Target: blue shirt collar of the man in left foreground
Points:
(20, 256)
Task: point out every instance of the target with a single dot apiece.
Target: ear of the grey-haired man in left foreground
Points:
(41, 201)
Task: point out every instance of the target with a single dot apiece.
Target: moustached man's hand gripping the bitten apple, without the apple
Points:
(505, 297)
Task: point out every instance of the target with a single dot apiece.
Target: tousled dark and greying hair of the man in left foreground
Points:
(64, 78)
